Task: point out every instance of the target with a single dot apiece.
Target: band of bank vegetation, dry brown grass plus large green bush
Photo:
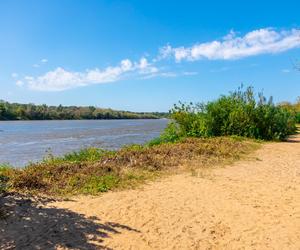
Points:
(211, 133)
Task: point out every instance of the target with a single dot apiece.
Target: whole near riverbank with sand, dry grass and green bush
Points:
(178, 211)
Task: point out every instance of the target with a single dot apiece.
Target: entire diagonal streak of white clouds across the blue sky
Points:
(231, 46)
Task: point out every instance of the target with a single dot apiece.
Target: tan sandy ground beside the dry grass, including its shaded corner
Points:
(252, 204)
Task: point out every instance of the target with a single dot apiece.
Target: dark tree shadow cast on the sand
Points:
(28, 224)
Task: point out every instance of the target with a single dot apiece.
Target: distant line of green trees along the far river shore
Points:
(16, 111)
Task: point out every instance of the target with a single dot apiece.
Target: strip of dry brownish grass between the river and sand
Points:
(128, 167)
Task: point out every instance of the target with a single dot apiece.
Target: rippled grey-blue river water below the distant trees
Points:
(25, 141)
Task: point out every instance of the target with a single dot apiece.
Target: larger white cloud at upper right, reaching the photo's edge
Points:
(262, 41)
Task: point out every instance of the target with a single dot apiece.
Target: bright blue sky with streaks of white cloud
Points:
(146, 55)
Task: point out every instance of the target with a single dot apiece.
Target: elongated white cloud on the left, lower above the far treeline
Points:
(61, 79)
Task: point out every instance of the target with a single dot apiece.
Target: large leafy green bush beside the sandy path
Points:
(238, 113)
